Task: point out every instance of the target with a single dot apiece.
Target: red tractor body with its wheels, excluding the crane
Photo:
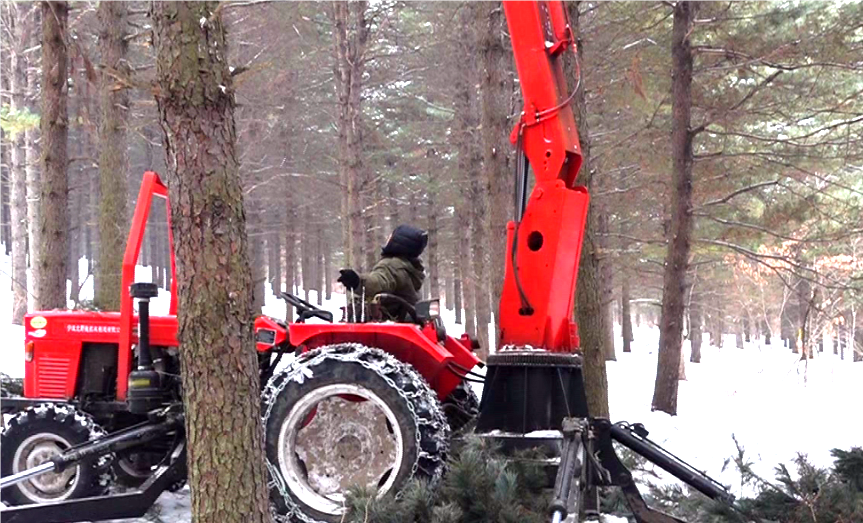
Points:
(374, 403)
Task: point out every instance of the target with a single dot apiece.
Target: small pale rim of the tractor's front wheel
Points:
(36, 450)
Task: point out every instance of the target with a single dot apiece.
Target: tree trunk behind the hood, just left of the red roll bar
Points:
(113, 161)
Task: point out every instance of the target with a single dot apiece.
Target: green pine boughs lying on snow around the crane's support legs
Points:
(481, 486)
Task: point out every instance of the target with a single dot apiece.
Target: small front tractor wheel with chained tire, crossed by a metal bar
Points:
(36, 435)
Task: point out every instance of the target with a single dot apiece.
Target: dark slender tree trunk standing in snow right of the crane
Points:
(680, 237)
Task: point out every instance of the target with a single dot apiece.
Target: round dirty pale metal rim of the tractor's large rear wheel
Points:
(335, 437)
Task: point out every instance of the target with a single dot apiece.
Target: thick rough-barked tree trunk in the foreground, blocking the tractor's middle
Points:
(219, 363)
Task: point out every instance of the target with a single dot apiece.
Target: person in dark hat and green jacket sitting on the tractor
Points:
(399, 272)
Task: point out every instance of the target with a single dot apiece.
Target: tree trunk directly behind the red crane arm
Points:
(589, 309)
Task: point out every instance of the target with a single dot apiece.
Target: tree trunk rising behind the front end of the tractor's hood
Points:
(51, 281)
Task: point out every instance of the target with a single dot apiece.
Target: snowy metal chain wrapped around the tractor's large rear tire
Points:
(386, 366)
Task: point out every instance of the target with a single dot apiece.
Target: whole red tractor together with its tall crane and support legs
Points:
(370, 404)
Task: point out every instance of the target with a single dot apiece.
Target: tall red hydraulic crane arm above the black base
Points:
(544, 242)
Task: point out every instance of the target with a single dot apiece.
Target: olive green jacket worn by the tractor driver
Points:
(400, 276)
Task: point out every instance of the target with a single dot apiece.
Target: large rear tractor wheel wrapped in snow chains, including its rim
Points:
(346, 416)
